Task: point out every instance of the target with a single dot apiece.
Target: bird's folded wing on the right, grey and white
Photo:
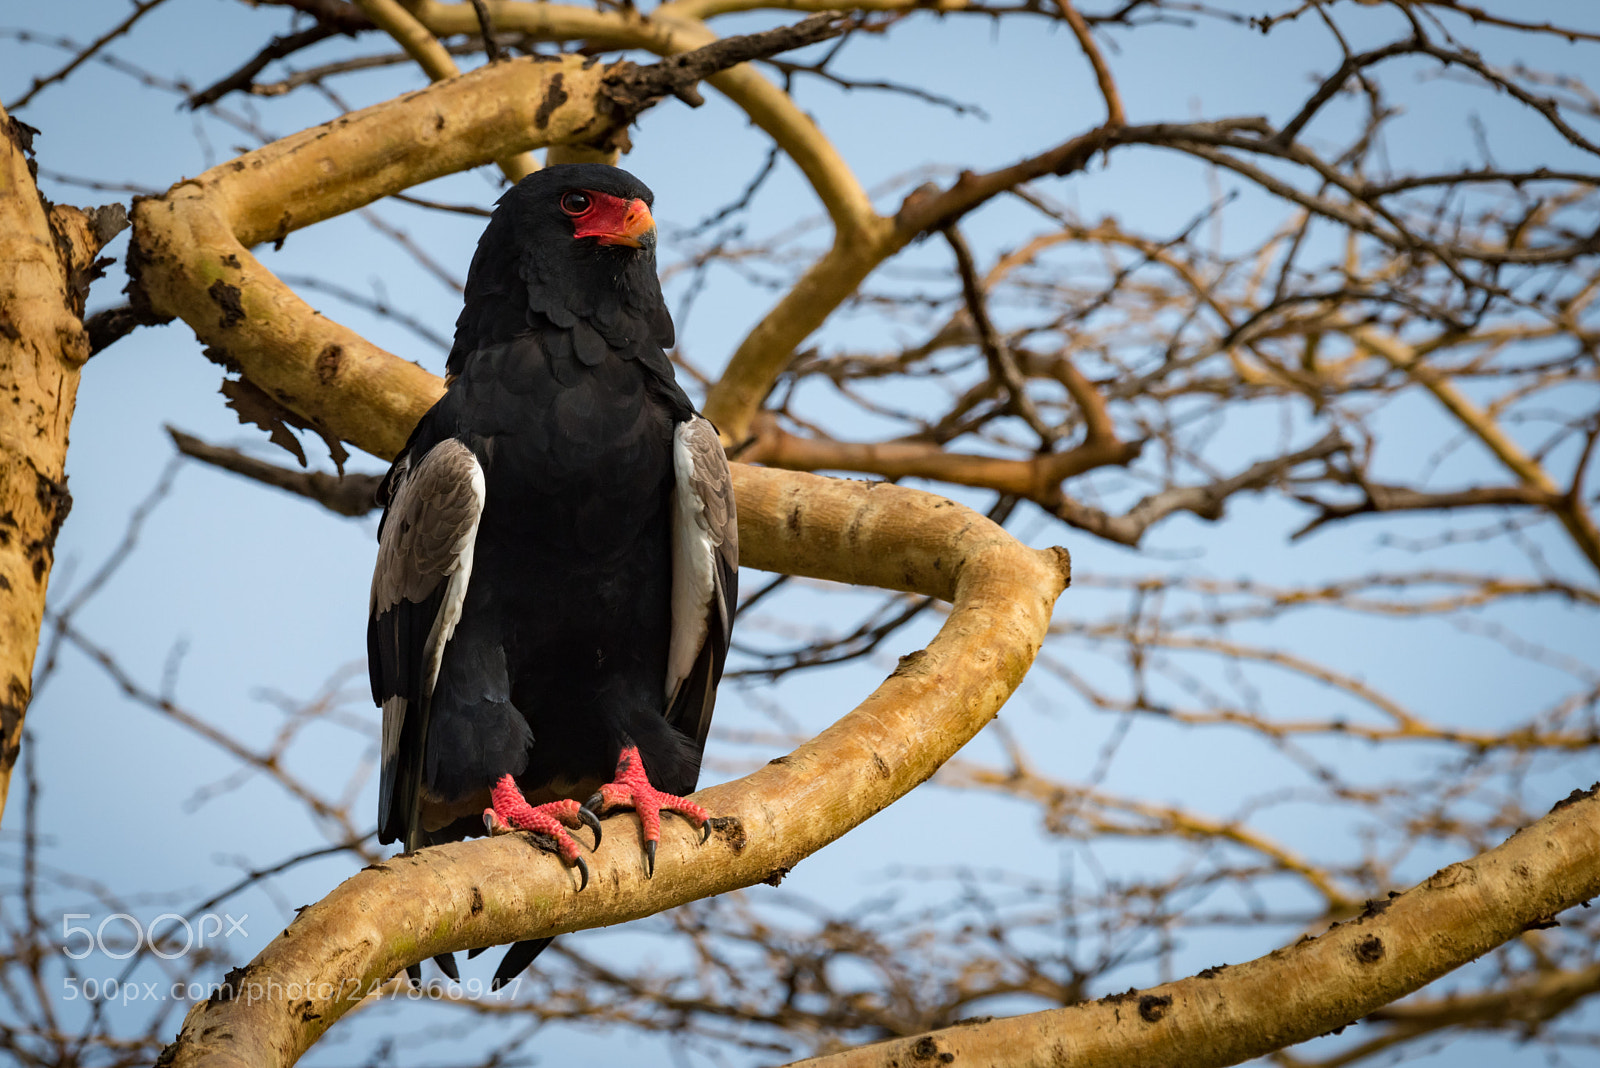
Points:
(705, 575)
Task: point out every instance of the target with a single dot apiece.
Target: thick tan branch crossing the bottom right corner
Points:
(1233, 1014)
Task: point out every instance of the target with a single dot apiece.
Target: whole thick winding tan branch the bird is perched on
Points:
(193, 263)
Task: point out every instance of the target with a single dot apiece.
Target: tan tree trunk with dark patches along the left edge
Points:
(49, 253)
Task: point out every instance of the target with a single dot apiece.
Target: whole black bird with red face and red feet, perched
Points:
(558, 560)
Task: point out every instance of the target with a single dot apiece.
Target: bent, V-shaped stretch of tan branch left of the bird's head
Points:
(191, 244)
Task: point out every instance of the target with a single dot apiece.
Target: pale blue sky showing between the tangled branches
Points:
(265, 596)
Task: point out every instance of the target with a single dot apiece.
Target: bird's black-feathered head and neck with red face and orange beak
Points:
(569, 244)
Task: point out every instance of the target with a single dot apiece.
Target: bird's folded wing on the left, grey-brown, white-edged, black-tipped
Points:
(425, 564)
